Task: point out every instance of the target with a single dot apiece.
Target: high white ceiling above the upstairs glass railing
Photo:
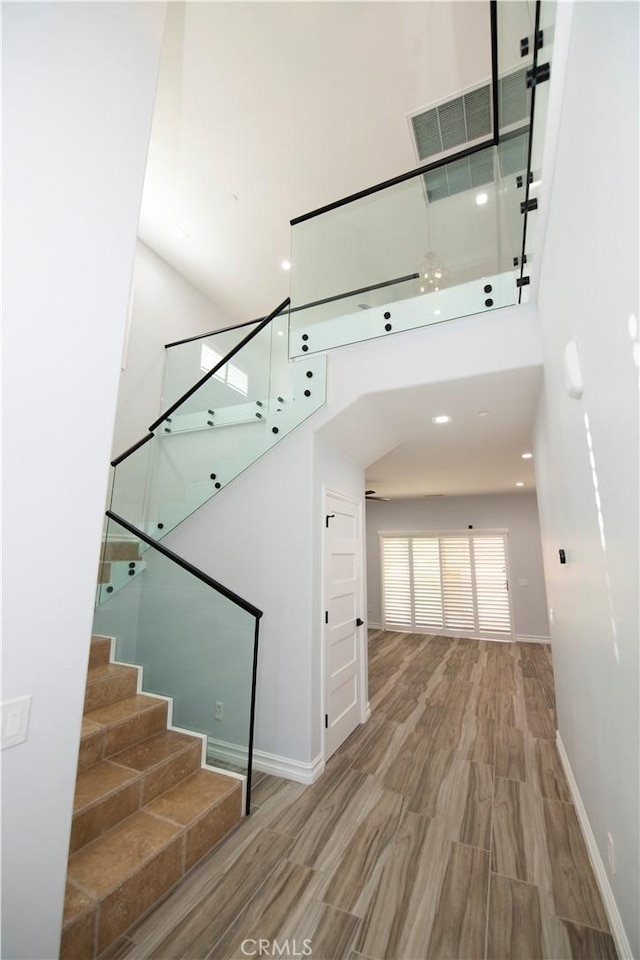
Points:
(268, 110)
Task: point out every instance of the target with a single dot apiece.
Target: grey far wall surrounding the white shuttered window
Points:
(516, 512)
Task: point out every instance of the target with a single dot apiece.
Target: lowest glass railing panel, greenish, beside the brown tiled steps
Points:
(195, 645)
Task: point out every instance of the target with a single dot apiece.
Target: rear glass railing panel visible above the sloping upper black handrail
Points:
(186, 362)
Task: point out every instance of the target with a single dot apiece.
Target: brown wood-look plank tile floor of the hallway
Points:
(442, 828)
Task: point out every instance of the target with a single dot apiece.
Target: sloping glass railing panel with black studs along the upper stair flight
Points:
(197, 450)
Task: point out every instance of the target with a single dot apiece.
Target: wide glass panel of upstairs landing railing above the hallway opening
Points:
(444, 234)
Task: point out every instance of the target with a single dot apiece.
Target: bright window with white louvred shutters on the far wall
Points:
(447, 583)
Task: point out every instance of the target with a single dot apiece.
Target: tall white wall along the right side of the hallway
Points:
(588, 482)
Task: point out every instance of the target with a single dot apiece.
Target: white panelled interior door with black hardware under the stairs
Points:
(343, 626)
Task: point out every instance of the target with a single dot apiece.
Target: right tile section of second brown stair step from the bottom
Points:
(162, 760)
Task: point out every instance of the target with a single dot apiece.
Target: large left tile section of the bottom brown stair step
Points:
(126, 871)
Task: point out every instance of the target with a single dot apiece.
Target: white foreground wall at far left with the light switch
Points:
(78, 89)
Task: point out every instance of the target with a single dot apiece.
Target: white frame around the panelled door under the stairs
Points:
(362, 637)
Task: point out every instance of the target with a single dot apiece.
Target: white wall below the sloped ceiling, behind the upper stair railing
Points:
(164, 307)
